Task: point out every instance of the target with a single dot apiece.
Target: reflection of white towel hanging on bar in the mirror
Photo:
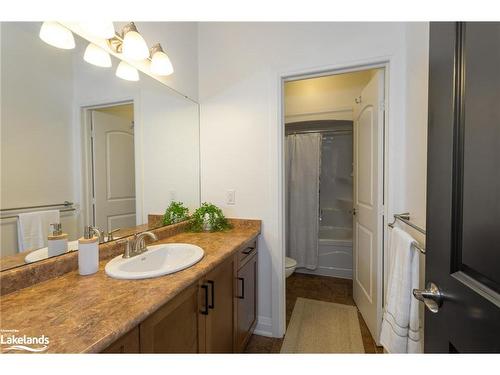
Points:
(33, 229)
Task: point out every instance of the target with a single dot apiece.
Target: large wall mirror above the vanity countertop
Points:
(81, 146)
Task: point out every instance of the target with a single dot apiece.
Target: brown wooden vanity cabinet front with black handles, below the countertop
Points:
(217, 314)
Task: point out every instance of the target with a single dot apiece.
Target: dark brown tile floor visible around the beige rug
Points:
(328, 289)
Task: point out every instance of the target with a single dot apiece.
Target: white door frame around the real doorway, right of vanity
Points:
(278, 277)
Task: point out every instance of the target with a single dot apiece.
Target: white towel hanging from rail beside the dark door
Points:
(401, 325)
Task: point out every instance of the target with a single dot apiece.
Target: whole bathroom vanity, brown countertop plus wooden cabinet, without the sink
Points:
(210, 307)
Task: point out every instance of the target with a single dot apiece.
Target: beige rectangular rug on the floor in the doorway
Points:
(323, 327)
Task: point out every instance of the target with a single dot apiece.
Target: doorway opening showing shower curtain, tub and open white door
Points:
(334, 191)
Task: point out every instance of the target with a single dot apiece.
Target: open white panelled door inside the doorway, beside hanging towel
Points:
(367, 237)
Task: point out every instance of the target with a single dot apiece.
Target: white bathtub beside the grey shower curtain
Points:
(334, 253)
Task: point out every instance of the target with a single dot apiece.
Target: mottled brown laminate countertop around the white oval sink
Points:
(87, 313)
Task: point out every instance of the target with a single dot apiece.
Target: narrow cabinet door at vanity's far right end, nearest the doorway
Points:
(246, 300)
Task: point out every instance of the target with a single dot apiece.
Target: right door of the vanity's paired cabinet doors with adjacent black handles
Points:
(219, 320)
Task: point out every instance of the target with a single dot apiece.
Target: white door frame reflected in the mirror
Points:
(86, 161)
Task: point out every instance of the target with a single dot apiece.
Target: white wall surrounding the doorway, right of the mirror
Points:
(240, 67)
